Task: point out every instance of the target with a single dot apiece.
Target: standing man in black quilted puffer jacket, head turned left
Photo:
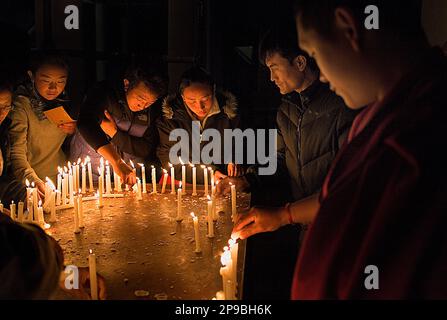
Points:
(312, 124)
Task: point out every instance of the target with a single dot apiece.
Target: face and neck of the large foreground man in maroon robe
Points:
(340, 60)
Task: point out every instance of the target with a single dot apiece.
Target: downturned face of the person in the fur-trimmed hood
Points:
(198, 97)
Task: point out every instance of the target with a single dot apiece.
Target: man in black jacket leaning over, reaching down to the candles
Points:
(117, 122)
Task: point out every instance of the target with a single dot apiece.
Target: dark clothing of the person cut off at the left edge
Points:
(10, 187)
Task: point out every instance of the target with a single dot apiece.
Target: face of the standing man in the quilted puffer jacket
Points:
(286, 75)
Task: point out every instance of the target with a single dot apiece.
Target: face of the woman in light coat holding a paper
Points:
(50, 81)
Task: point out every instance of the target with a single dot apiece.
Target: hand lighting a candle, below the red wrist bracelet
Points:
(259, 220)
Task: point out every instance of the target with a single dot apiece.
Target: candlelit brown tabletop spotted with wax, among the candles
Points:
(140, 246)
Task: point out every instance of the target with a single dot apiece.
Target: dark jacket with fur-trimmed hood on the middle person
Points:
(175, 116)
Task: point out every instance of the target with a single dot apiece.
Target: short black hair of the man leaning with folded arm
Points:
(150, 75)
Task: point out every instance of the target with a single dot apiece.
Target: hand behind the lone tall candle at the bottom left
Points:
(84, 286)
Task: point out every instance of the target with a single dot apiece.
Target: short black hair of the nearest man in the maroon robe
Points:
(402, 17)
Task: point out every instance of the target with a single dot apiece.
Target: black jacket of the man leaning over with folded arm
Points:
(137, 134)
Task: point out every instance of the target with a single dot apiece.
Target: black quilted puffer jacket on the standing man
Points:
(312, 126)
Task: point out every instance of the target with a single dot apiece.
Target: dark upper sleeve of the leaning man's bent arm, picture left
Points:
(90, 117)
